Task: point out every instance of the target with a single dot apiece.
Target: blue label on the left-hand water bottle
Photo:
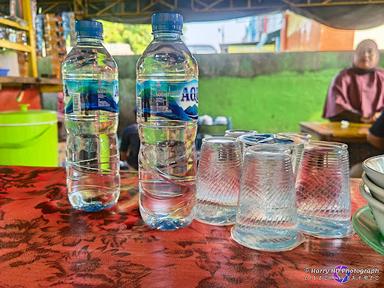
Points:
(85, 95)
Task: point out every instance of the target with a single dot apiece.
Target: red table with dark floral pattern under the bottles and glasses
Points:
(44, 243)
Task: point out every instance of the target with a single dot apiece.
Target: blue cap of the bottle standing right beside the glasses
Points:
(167, 22)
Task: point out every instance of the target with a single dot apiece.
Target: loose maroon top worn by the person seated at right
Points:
(355, 90)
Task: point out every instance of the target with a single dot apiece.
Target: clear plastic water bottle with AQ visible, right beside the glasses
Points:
(167, 103)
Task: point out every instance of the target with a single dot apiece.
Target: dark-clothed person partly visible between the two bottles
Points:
(130, 146)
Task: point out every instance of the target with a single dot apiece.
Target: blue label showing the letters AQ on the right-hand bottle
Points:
(171, 100)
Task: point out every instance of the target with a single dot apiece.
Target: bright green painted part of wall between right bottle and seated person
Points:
(268, 103)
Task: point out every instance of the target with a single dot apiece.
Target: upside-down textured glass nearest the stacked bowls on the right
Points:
(322, 190)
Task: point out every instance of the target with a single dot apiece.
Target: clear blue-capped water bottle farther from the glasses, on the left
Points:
(91, 118)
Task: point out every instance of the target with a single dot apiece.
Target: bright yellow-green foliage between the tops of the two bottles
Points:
(138, 36)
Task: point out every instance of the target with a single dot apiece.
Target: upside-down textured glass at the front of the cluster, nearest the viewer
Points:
(267, 217)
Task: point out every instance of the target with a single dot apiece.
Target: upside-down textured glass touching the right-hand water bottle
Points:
(218, 181)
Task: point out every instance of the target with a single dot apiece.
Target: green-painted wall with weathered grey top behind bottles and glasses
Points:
(265, 92)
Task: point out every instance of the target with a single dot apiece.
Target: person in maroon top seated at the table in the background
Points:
(357, 93)
